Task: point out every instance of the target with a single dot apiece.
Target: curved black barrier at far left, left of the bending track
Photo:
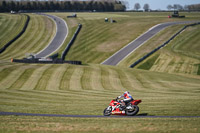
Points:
(14, 39)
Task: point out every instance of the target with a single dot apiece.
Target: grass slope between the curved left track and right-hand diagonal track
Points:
(101, 39)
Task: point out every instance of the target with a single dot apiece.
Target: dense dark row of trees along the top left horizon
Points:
(26, 5)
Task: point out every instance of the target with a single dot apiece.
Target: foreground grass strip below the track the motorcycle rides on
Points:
(98, 125)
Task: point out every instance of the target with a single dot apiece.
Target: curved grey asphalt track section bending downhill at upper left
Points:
(59, 38)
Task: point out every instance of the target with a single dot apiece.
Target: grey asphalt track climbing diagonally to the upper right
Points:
(131, 47)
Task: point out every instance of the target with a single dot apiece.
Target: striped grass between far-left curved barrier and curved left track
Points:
(39, 33)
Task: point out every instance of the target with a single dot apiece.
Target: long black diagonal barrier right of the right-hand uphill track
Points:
(163, 45)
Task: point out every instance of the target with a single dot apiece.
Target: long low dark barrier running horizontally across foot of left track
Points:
(57, 61)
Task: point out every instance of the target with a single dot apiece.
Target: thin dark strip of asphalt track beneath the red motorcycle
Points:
(91, 116)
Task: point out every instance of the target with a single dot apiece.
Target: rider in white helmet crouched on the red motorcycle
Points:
(127, 98)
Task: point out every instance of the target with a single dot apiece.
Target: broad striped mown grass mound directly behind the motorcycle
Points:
(64, 89)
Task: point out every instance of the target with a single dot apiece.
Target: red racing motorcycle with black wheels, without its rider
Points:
(115, 108)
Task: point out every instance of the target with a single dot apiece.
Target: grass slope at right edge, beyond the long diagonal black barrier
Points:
(180, 56)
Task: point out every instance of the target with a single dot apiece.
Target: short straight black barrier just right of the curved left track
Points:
(71, 42)
